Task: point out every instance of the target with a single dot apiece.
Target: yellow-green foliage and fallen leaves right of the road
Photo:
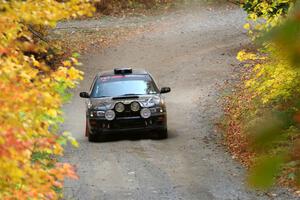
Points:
(263, 126)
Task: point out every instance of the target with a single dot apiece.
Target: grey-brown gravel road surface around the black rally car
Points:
(191, 52)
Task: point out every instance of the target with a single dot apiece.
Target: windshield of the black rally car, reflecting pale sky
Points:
(114, 86)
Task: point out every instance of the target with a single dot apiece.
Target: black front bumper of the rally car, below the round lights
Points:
(127, 124)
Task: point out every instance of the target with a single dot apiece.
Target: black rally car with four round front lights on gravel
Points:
(125, 100)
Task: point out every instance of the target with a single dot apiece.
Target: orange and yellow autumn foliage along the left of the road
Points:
(33, 89)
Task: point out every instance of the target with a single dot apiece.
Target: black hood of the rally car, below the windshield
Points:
(108, 103)
